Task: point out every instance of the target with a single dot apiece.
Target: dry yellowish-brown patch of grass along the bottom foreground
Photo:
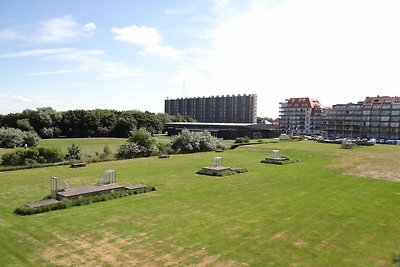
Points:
(114, 250)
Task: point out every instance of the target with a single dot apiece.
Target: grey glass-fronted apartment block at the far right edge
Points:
(375, 117)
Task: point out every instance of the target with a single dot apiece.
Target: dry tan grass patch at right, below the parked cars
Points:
(373, 165)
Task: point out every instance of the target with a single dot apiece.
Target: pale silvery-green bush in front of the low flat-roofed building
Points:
(188, 142)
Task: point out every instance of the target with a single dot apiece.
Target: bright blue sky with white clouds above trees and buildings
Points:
(133, 54)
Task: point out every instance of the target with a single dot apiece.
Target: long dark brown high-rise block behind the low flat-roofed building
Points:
(218, 109)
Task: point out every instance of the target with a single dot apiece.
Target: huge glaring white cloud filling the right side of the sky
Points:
(336, 51)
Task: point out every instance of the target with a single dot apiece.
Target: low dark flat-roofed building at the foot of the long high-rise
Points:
(226, 130)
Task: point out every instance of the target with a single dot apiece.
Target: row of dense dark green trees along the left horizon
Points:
(49, 123)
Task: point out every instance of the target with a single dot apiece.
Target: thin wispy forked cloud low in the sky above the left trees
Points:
(83, 61)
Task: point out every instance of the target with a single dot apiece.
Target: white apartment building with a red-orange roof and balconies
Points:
(301, 116)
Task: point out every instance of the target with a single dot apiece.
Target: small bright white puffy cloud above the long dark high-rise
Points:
(148, 37)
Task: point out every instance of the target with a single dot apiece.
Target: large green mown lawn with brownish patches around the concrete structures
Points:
(322, 211)
